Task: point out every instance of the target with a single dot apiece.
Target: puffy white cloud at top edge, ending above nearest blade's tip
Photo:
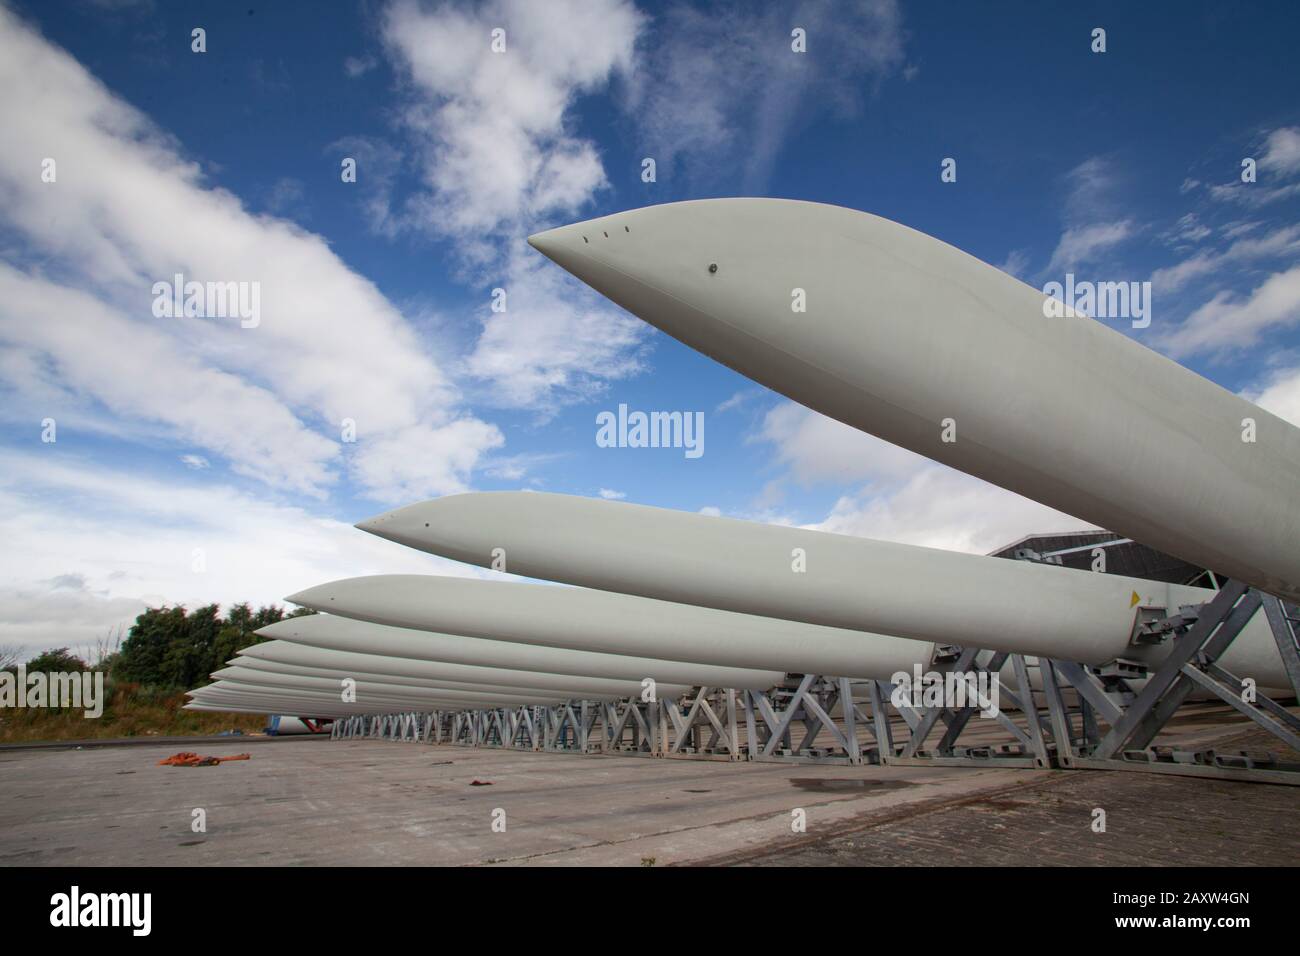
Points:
(497, 149)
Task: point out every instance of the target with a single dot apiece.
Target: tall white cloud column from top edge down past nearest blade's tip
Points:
(499, 159)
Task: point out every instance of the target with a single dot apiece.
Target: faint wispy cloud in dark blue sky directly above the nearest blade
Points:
(725, 86)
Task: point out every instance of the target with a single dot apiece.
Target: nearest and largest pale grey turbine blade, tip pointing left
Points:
(928, 348)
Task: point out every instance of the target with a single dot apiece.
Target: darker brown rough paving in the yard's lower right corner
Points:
(1151, 820)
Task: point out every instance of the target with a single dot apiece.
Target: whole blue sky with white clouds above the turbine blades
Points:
(200, 461)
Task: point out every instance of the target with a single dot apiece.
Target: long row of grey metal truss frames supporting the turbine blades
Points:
(1112, 726)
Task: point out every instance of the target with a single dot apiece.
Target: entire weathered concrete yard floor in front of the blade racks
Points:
(384, 803)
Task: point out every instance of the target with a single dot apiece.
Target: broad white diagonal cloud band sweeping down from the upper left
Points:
(128, 211)
